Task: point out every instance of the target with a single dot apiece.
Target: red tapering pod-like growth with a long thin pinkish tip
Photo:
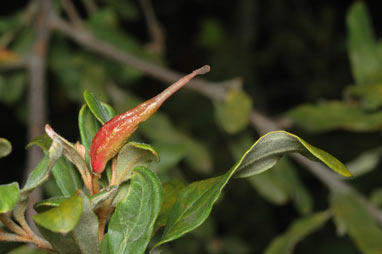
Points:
(112, 135)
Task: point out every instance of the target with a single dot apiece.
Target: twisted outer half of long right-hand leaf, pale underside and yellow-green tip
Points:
(268, 149)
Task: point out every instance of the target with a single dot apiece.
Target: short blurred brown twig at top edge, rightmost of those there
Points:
(155, 29)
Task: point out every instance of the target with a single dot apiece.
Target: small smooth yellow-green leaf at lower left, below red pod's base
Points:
(63, 218)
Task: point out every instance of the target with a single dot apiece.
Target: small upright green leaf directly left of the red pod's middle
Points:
(88, 126)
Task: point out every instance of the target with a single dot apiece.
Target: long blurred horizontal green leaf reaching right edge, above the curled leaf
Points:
(335, 115)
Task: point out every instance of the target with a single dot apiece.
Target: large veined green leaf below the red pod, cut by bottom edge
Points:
(132, 223)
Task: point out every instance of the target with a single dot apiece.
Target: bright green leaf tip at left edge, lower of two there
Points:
(9, 196)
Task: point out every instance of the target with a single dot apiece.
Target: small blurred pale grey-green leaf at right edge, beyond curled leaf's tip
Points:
(365, 162)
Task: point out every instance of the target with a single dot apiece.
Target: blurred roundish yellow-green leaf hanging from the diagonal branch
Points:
(233, 114)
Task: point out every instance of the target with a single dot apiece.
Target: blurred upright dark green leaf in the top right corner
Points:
(364, 56)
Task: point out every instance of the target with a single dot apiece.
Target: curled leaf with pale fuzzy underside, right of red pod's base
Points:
(130, 156)
